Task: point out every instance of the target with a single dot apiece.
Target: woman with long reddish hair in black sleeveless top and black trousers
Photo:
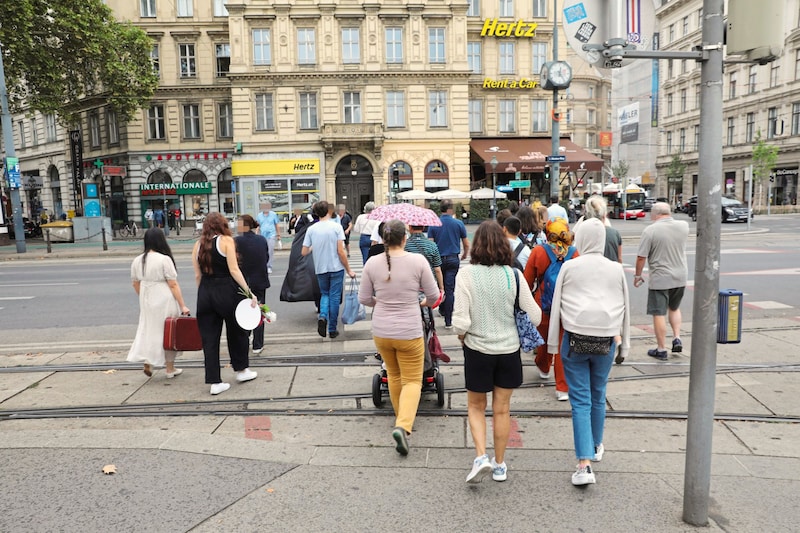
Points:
(220, 284)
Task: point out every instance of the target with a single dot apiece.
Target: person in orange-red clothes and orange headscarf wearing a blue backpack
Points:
(559, 245)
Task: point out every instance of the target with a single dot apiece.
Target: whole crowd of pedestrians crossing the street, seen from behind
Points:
(569, 281)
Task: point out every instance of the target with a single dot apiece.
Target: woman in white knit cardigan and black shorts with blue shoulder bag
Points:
(483, 318)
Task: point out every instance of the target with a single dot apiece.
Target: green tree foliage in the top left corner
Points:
(61, 56)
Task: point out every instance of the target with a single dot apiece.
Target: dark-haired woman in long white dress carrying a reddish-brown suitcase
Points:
(155, 281)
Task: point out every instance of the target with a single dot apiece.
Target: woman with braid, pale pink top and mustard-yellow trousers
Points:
(391, 282)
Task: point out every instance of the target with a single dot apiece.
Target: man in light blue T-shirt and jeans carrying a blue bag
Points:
(326, 239)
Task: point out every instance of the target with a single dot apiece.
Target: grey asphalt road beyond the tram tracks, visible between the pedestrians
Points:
(91, 301)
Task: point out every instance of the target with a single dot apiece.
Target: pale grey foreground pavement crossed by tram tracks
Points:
(302, 448)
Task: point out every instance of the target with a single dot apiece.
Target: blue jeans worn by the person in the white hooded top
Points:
(587, 376)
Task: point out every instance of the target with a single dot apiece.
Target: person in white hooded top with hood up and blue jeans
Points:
(590, 299)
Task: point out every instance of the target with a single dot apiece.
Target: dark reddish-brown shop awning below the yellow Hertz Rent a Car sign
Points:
(516, 154)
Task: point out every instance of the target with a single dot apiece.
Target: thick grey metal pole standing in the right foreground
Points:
(702, 370)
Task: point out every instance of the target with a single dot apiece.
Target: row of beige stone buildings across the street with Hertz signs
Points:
(295, 100)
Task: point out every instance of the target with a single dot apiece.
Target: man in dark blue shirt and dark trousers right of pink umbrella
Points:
(449, 237)
